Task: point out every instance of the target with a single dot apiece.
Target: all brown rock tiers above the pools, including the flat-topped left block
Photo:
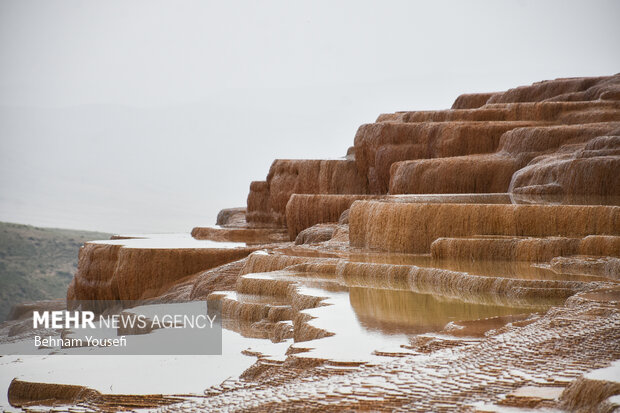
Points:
(554, 141)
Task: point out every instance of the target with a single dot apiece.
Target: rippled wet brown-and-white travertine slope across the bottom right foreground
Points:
(463, 376)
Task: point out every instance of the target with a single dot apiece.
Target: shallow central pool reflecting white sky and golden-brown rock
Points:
(365, 321)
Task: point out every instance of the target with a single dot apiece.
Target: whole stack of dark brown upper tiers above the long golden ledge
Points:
(556, 137)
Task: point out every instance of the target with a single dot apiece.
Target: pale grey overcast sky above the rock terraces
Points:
(143, 116)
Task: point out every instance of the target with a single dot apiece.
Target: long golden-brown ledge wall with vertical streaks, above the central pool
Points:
(412, 227)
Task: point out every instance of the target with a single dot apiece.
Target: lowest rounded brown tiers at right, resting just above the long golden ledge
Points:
(512, 167)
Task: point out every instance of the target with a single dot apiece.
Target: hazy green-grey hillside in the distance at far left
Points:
(37, 263)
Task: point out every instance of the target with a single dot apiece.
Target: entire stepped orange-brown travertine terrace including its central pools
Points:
(465, 259)
